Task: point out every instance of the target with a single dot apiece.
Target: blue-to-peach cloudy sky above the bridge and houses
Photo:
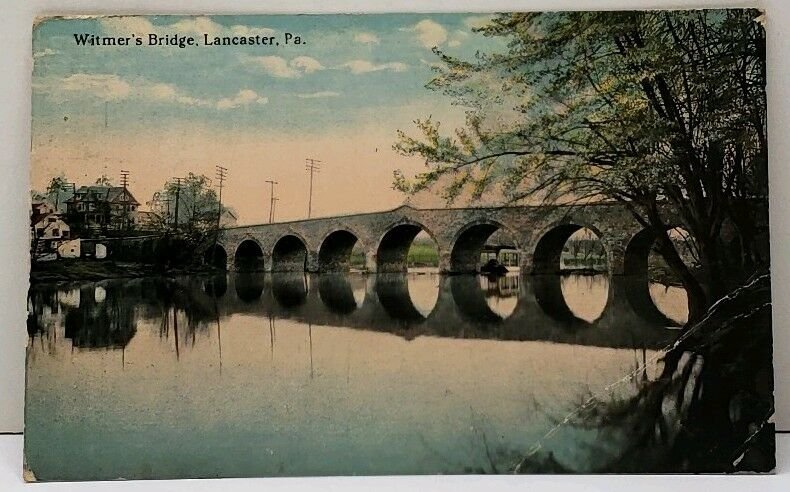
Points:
(260, 111)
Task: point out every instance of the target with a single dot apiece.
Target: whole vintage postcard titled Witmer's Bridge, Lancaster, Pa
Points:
(300, 245)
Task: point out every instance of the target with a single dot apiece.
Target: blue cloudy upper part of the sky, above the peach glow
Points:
(349, 64)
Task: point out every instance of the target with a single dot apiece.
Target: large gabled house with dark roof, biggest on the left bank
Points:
(102, 207)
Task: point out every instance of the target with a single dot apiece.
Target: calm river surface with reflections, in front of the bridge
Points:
(349, 374)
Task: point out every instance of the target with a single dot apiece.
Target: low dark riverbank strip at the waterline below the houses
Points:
(65, 270)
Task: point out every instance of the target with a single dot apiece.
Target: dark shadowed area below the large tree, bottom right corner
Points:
(667, 425)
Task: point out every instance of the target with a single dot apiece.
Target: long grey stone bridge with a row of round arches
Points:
(538, 232)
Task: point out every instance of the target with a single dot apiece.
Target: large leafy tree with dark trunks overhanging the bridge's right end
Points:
(656, 110)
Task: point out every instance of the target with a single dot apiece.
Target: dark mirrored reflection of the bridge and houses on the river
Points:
(596, 310)
